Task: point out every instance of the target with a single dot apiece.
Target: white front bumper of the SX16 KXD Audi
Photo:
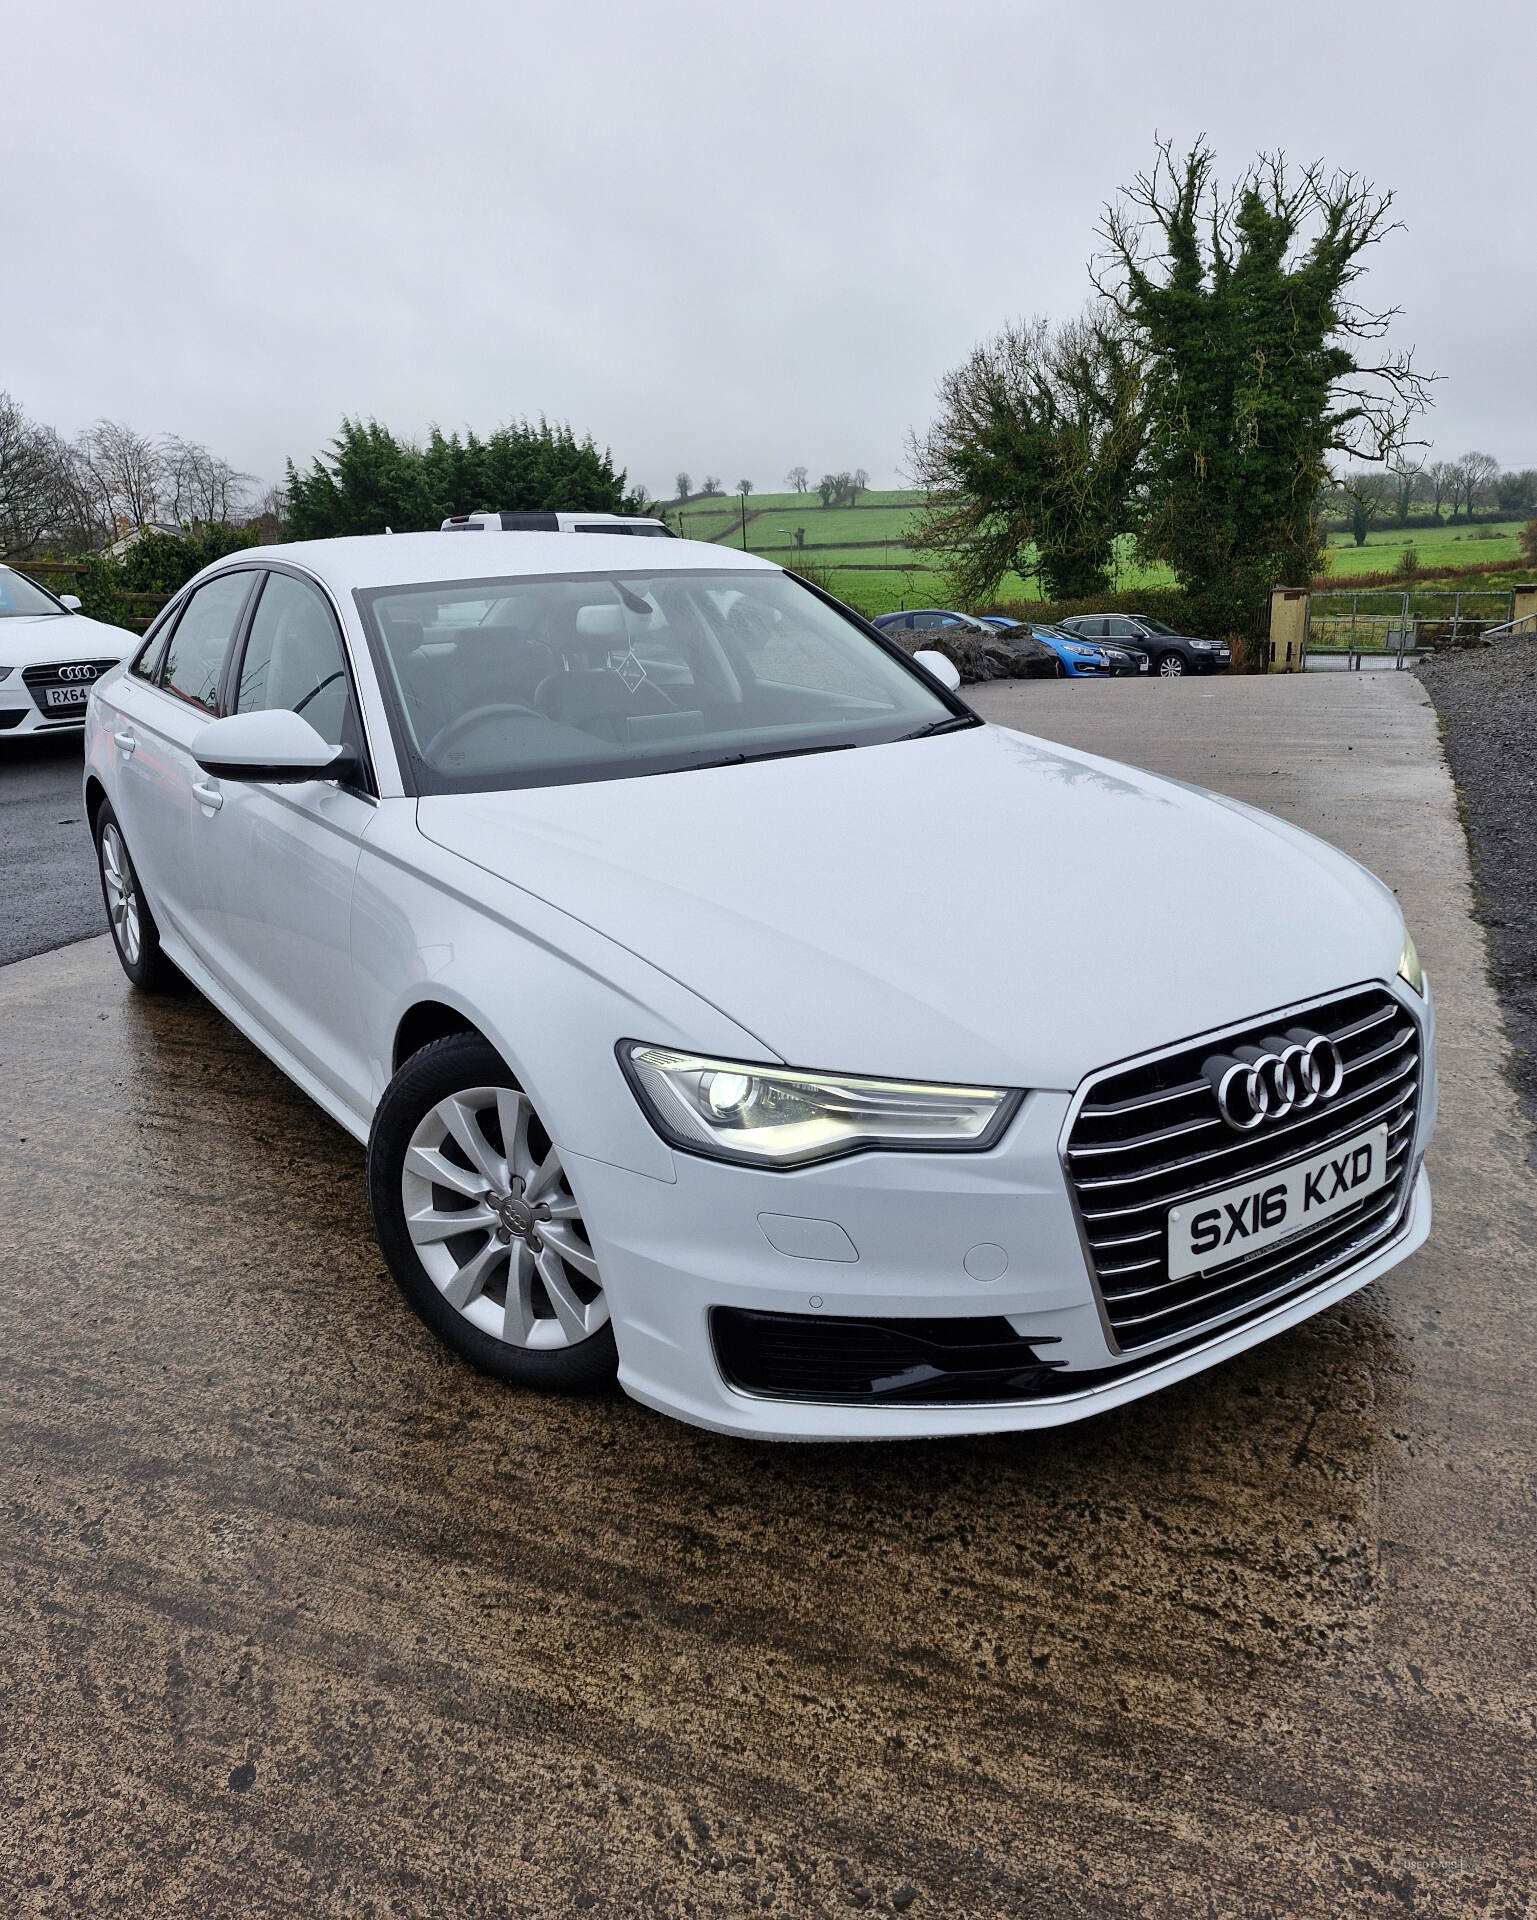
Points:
(891, 1237)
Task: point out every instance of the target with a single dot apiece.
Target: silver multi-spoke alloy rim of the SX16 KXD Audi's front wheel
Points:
(496, 1224)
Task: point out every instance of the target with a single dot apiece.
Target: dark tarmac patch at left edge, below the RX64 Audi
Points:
(49, 892)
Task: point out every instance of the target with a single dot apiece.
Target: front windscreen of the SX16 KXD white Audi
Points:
(603, 677)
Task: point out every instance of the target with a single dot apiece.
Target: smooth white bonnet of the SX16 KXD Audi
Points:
(976, 907)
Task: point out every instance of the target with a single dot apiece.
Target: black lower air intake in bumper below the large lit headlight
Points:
(887, 1362)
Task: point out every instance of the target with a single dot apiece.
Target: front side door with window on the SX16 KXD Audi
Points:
(277, 863)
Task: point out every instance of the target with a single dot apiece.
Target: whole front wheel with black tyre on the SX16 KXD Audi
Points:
(479, 1222)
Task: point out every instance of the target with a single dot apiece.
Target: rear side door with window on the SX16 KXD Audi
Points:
(158, 715)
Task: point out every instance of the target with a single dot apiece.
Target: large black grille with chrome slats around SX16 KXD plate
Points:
(1148, 1138)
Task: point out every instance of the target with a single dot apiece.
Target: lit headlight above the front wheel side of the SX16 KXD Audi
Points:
(784, 1118)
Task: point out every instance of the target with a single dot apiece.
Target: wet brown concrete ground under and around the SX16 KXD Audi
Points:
(300, 1618)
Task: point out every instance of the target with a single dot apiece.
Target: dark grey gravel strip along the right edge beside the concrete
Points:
(1488, 708)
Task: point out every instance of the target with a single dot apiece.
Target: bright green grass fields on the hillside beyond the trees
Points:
(864, 548)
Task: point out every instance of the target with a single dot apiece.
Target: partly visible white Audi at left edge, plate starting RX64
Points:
(51, 656)
